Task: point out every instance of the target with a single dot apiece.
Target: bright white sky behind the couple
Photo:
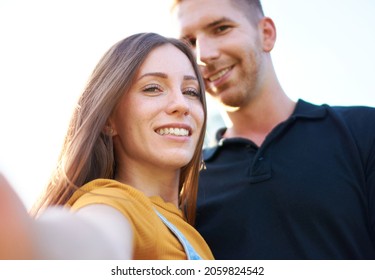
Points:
(324, 54)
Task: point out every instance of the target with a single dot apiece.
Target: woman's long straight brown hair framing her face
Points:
(87, 151)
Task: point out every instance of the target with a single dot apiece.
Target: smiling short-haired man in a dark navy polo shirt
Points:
(288, 180)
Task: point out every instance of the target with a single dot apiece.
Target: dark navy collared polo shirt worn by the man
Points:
(307, 193)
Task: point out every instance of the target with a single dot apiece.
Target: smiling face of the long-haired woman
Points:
(158, 122)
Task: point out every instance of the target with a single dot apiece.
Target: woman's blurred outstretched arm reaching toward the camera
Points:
(93, 232)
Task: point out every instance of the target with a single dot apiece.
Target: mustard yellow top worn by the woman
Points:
(152, 239)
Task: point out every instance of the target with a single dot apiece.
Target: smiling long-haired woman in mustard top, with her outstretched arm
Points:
(129, 164)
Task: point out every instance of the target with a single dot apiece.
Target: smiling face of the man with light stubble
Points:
(227, 46)
